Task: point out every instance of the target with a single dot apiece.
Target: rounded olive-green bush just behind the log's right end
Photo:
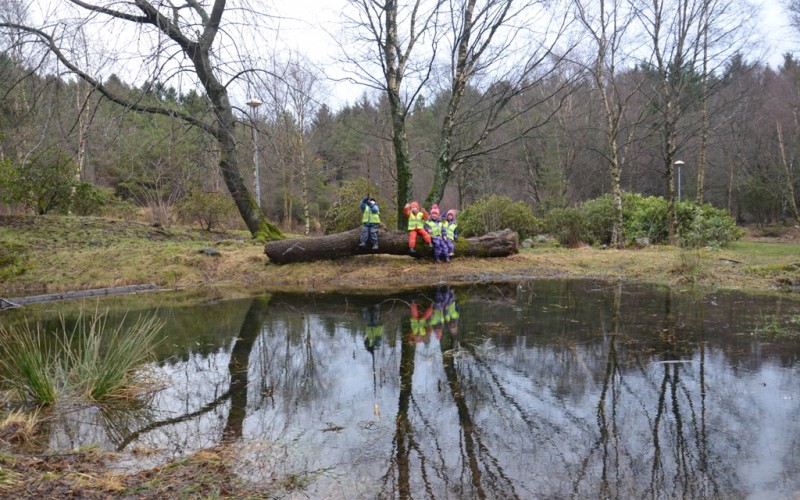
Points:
(495, 213)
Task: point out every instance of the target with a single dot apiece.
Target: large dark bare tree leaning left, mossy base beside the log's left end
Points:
(177, 40)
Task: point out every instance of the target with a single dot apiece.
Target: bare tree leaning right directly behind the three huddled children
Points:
(505, 49)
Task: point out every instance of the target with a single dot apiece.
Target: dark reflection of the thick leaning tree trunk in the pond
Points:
(238, 367)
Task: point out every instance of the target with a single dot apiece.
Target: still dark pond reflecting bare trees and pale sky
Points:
(537, 389)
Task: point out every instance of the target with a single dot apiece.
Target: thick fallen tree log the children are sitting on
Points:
(335, 246)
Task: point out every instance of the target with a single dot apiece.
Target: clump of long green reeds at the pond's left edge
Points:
(93, 360)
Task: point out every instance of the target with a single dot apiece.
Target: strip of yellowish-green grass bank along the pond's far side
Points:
(53, 254)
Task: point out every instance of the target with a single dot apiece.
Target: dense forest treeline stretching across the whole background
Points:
(729, 137)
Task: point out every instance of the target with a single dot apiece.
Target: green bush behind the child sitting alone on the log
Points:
(345, 214)
